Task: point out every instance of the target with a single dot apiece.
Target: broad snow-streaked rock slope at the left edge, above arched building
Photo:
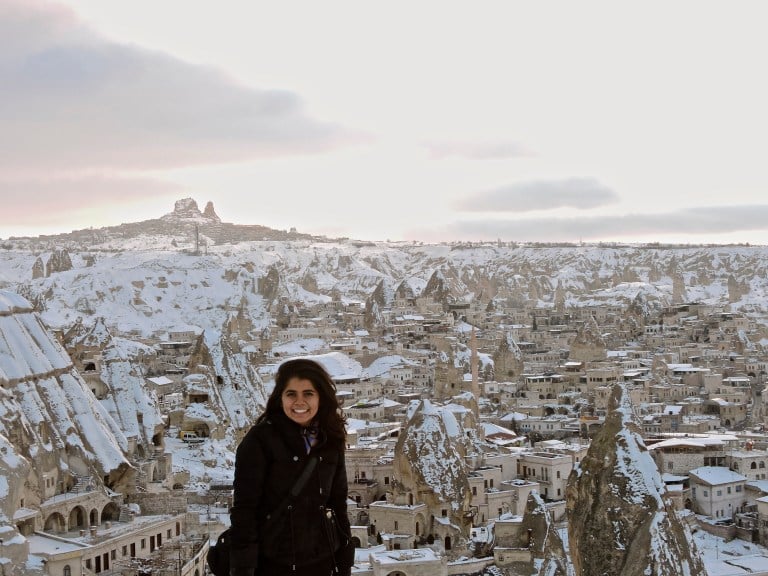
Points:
(52, 429)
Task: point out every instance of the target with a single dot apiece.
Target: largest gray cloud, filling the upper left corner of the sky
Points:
(70, 99)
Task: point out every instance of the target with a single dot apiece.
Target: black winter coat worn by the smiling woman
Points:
(269, 460)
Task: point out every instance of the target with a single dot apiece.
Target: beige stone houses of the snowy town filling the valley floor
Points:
(532, 383)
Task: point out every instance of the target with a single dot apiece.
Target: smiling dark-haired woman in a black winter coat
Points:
(301, 434)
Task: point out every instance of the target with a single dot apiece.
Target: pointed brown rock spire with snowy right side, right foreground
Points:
(619, 521)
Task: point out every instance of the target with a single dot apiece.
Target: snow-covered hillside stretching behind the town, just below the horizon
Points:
(145, 292)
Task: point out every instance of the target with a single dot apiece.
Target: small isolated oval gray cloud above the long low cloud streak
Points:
(579, 193)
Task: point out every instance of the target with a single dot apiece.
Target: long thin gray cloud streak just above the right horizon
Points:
(706, 221)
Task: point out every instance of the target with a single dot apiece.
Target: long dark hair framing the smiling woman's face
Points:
(330, 417)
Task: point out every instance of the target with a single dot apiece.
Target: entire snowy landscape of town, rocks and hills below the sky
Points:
(512, 409)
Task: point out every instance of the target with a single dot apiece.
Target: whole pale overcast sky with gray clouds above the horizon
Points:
(431, 121)
